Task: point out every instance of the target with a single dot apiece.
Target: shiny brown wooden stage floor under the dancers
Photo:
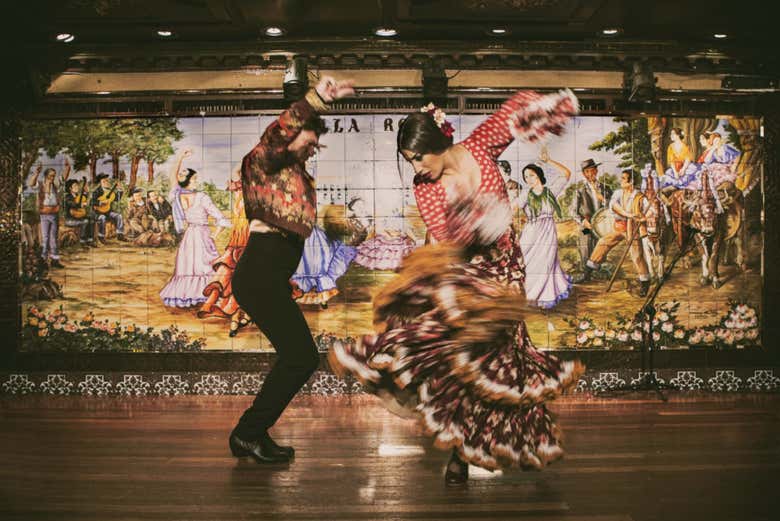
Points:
(698, 457)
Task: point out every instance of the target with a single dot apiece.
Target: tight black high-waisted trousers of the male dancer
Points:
(262, 289)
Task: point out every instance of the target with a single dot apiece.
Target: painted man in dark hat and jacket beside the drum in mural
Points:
(590, 198)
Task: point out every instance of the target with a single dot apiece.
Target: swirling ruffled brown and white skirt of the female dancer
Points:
(452, 351)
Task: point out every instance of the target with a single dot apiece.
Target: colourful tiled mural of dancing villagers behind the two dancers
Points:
(100, 244)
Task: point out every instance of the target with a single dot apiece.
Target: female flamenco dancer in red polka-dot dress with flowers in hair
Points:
(453, 346)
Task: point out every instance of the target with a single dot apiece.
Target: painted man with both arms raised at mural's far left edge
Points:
(49, 201)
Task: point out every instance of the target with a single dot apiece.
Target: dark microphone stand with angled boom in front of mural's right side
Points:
(648, 380)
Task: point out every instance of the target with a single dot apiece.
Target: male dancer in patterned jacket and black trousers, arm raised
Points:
(281, 203)
